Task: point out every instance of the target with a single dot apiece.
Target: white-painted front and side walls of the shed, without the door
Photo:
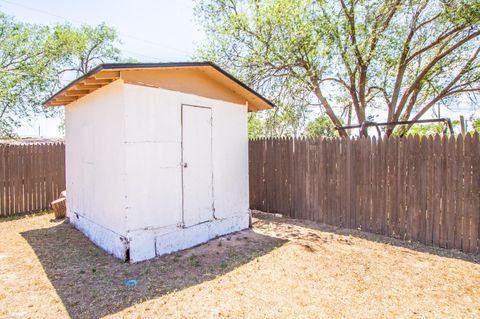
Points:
(123, 154)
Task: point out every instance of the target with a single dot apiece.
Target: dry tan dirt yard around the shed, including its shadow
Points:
(280, 269)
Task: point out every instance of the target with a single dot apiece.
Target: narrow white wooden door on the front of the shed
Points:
(196, 164)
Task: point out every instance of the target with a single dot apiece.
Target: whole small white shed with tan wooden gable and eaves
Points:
(157, 155)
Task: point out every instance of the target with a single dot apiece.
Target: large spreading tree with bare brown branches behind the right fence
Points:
(357, 55)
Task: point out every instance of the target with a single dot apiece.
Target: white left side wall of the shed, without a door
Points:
(94, 136)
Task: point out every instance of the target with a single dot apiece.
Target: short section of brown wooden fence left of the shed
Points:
(31, 176)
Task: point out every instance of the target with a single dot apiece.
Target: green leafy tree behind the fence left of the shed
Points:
(33, 59)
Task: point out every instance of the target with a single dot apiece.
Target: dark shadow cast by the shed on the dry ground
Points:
(92, 284)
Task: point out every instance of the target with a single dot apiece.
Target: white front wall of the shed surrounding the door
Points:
(153, 172)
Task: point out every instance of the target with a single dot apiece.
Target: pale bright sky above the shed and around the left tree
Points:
(150, 31)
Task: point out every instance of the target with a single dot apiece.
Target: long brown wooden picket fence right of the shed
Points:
(422, 189)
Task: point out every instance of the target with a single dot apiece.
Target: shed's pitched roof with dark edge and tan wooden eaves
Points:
(106, 73)
